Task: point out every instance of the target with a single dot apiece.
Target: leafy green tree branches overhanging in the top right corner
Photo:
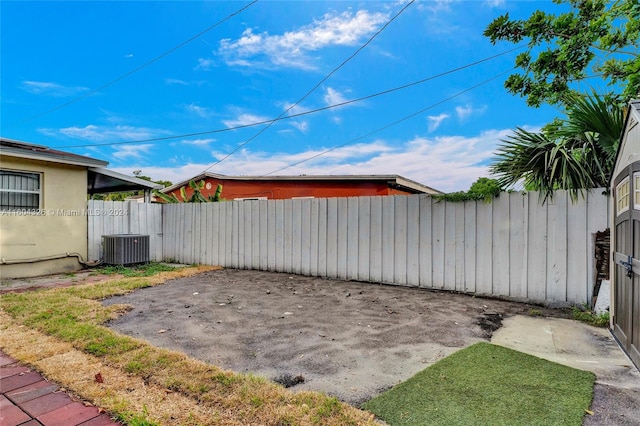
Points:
(593, 36)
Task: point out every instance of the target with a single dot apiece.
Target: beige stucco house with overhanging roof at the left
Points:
(43, 207)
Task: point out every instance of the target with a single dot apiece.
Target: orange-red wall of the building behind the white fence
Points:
(278, 190)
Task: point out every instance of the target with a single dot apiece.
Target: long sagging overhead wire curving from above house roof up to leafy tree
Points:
(313, 111)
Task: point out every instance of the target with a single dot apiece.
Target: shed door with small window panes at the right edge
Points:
(626, 326)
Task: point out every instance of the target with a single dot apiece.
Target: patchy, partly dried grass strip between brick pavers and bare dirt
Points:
(144, 384)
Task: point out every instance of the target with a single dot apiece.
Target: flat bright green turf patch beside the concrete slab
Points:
(488, 384)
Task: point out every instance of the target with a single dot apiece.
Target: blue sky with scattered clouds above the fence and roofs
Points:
(57, 58)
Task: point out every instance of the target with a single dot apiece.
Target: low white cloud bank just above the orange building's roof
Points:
(447, 163)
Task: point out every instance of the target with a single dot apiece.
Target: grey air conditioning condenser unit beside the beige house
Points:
(125, 249)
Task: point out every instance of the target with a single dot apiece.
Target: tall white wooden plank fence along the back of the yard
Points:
(512, 247)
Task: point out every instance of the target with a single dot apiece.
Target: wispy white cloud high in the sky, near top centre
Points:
(292, 48)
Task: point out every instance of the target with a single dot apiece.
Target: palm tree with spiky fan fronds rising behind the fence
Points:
(574, 154)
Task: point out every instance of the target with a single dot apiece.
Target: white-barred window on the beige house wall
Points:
(19, 190)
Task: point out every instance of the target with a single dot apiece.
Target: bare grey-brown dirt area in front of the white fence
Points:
(348, 339)
